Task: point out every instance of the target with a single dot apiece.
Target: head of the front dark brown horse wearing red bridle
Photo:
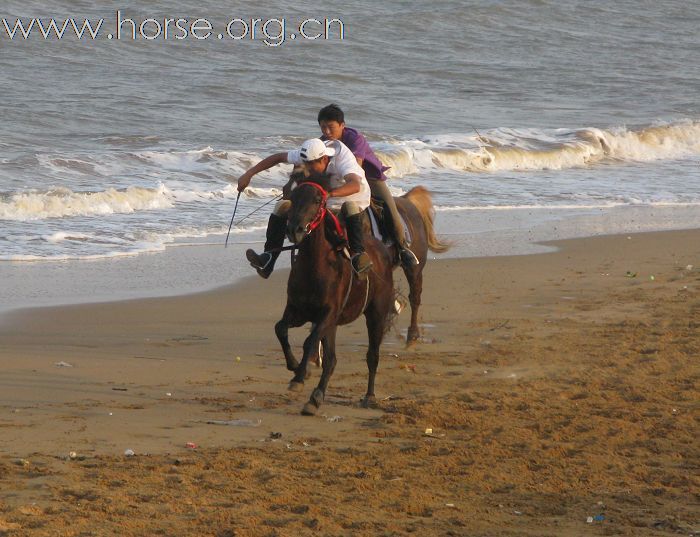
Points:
(308, 208)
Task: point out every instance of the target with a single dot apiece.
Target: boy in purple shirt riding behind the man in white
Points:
(332, 122)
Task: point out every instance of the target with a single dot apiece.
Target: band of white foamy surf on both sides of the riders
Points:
(173, 195)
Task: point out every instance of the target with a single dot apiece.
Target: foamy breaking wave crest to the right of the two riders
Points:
(529, 149)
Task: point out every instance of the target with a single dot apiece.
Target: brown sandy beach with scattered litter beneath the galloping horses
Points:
(557, 388)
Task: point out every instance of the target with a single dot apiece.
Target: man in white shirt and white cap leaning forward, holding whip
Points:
(349, 192)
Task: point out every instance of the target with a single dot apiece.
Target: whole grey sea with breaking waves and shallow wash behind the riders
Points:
(516, 114)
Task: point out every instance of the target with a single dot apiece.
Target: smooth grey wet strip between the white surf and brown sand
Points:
(197, 267)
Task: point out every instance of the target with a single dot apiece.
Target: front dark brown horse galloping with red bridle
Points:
(323, 290)
